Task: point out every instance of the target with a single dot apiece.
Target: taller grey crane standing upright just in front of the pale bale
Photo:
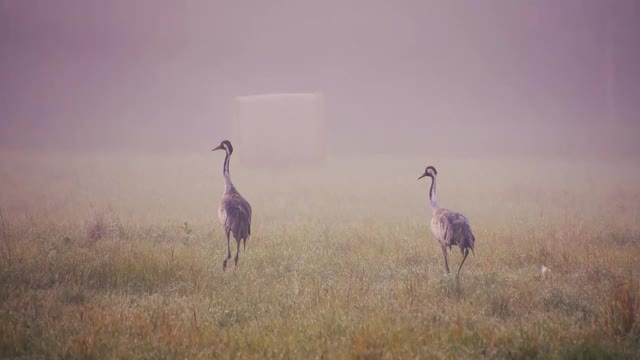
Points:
(234, 211)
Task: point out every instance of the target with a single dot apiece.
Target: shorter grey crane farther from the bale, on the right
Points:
(450, 228)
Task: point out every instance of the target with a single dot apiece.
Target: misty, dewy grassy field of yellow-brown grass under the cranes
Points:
(120, 256)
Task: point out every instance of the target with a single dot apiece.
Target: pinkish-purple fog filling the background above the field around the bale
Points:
(541, 78)
